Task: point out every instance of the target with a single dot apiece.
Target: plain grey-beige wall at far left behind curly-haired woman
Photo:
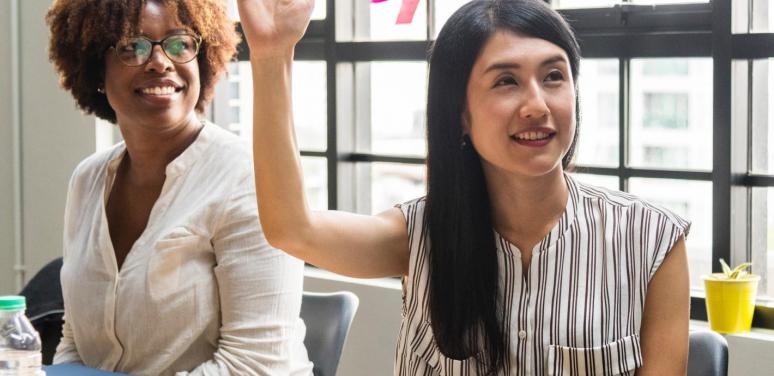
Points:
(53, 136)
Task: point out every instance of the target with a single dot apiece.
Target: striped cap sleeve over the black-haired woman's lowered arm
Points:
(667, 229)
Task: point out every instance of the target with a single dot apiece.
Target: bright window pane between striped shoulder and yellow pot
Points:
(691, 200)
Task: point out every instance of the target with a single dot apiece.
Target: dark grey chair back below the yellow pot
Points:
(707, 354)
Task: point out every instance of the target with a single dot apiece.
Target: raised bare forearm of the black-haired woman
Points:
(278, 176)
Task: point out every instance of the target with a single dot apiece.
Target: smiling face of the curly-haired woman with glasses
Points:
(158, 95)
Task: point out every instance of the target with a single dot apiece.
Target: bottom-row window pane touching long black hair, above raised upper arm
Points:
(394, 183)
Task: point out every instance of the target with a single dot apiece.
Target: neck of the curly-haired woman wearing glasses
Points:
(150, 149)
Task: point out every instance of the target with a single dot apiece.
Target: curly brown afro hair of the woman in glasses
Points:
(82, 31)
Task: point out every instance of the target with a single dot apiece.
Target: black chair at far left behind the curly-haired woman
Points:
(45, 307)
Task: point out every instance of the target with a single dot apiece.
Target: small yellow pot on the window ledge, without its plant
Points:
(730, 302)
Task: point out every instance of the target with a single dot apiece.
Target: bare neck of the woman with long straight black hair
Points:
(525, 206)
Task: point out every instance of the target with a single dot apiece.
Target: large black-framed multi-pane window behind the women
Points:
(674, 107)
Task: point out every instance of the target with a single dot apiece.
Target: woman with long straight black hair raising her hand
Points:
(509, 265)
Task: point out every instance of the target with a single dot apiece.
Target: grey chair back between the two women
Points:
(328, 318)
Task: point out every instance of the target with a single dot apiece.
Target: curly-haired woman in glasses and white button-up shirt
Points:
(166, 268)
